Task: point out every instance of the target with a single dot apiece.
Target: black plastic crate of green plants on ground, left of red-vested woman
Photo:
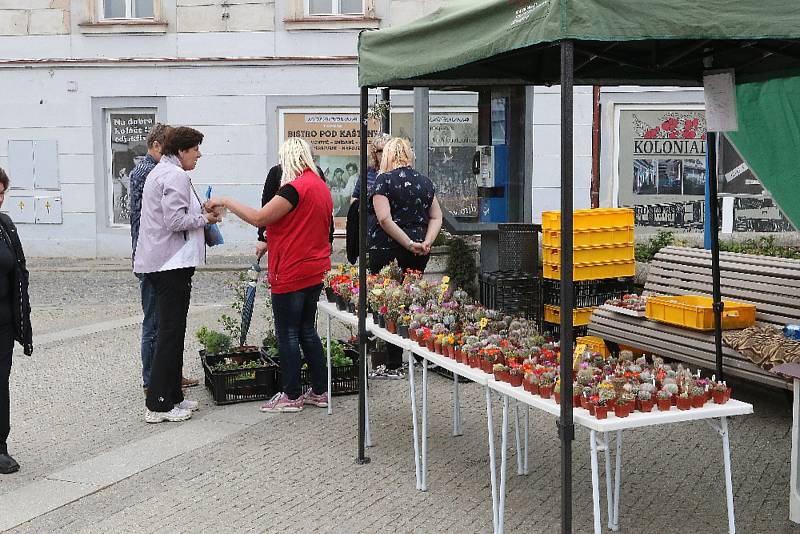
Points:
(240, 385)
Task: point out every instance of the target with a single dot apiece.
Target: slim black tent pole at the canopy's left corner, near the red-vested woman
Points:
(362, 282)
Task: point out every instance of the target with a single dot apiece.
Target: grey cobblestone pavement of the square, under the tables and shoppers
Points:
(80, 397)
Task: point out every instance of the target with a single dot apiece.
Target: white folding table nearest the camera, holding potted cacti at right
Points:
(715, 415)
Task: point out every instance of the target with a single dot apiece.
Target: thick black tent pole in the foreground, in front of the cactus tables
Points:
(566, 428)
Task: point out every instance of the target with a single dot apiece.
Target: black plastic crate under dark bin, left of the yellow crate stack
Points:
(513, 293)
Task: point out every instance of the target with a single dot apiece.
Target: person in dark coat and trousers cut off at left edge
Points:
(15, 318)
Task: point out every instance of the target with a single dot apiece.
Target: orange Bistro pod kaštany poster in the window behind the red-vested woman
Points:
(336, 140)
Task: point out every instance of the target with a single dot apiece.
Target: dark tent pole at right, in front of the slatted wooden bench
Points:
(712, 139)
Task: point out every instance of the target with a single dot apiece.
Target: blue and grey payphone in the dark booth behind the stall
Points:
(490, 167)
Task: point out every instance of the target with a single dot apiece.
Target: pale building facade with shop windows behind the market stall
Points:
(83, 80)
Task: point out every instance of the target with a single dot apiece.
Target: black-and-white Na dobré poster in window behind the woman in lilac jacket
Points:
(128, 147)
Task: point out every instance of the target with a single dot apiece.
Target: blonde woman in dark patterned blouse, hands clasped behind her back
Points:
(406, 222)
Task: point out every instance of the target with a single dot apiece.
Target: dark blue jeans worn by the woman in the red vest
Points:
(295, 327)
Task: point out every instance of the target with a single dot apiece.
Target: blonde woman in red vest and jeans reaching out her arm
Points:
(297, 222)
